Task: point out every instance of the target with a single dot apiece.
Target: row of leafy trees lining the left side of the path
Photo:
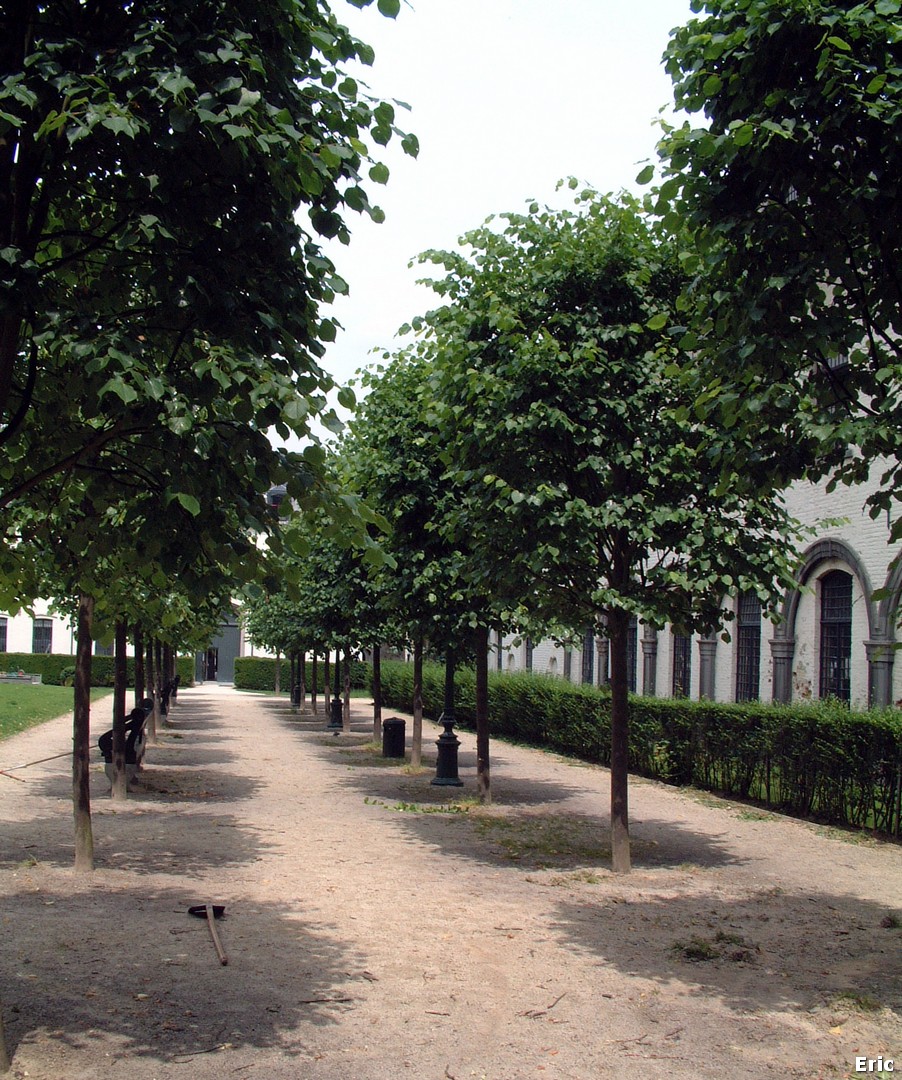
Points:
(167, 174)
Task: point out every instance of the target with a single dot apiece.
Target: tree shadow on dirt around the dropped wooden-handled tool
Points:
(136, 970)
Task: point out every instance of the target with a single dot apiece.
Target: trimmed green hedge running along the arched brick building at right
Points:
(816, 761)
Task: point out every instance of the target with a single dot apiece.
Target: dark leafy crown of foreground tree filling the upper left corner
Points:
(154, 160)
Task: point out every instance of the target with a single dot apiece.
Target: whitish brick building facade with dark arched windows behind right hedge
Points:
(837, 637)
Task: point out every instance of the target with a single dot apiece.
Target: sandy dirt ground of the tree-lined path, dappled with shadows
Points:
(380, 927)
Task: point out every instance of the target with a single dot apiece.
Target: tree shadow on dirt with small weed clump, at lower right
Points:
(765, 950)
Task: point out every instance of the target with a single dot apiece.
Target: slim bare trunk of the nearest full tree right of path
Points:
(618, 623)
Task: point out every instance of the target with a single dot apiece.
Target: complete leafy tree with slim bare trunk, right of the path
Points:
(589, 494)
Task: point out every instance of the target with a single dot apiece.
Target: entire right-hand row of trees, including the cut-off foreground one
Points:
(598, 421)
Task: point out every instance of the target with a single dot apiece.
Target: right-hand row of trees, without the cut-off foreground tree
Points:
(538, 457)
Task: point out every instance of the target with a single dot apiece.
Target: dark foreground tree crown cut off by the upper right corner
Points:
(791, 192)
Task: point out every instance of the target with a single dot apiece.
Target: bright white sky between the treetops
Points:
(508, 97)
